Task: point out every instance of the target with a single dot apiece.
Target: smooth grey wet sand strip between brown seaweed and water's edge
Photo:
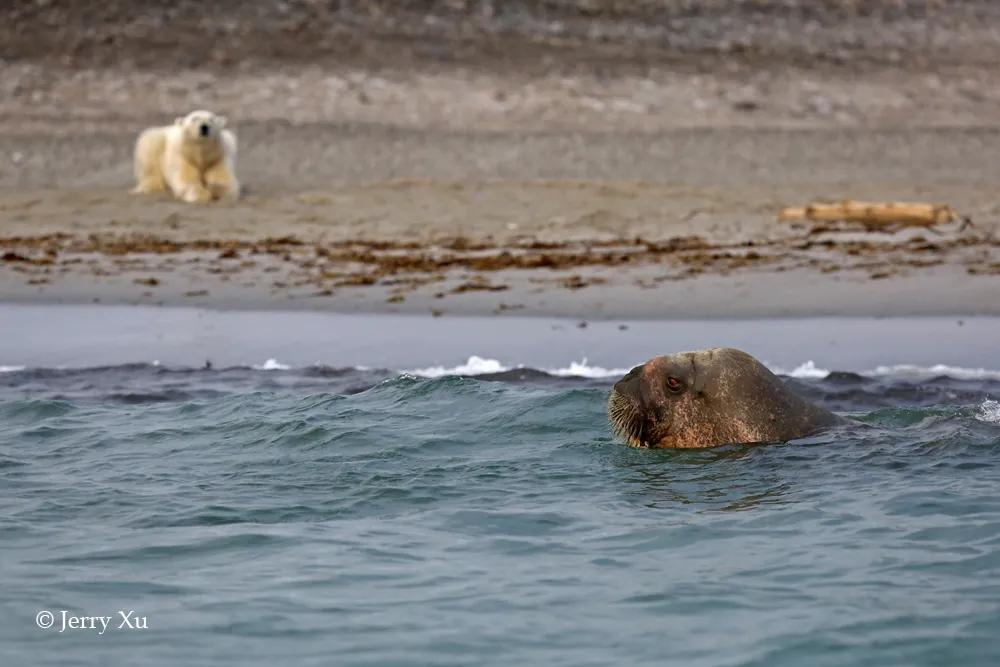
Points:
(743, 297)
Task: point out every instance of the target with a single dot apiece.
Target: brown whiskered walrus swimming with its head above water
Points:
(708, 398)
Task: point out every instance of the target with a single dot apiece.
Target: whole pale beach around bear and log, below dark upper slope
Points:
(641, 184)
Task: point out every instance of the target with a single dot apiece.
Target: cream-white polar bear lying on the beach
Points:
(194, 158)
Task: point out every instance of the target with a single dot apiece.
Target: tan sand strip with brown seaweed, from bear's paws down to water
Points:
(586, 249)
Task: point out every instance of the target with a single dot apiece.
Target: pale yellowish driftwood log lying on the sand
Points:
(873, 214)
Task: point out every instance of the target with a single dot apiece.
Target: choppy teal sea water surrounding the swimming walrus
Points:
(320, 516)
